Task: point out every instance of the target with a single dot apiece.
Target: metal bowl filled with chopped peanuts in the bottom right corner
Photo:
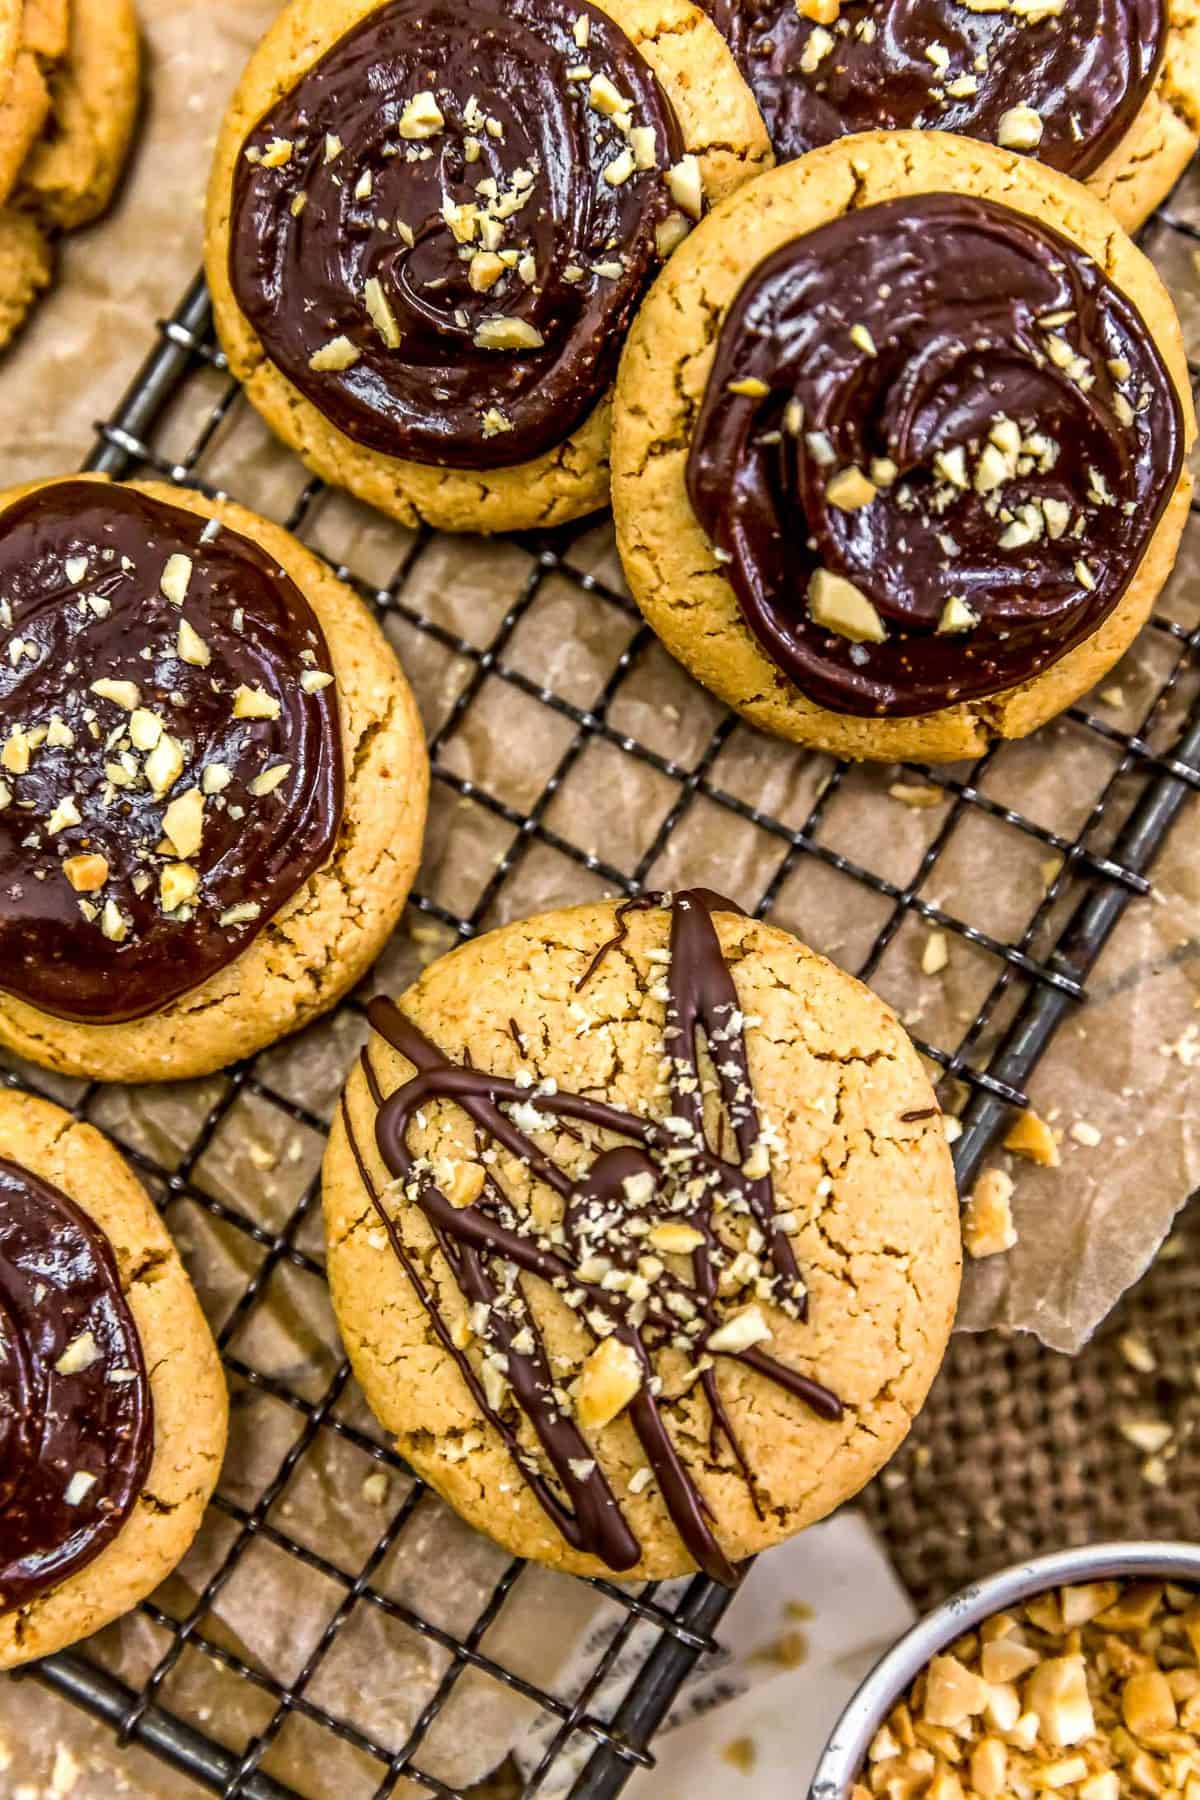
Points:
(1075, 1677)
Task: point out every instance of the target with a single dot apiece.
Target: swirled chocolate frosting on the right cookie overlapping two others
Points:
(933, 449)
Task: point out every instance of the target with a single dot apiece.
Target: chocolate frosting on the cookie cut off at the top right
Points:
(1062, 78)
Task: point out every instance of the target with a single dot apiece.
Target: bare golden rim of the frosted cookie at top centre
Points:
(721, 127)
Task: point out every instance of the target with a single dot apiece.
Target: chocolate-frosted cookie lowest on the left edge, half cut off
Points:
(114, 1403)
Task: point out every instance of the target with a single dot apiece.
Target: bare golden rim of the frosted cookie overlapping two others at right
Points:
(674, 570)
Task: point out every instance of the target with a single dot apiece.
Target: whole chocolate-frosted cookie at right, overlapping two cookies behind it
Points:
(911, 471)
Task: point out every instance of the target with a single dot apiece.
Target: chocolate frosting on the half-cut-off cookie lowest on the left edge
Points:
(76, 1416)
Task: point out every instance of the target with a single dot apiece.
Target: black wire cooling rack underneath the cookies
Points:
(1142, 778)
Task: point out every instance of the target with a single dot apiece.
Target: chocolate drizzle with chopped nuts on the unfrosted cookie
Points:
(663, 1185)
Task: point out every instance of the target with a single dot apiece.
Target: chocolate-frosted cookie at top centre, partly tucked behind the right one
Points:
(431, 226)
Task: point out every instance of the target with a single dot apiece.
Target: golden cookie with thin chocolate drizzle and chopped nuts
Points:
(643, 1234)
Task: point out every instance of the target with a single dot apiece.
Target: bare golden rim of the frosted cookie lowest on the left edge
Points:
(186, 1381)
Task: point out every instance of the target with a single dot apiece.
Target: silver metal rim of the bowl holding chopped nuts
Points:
(893, 1677)
